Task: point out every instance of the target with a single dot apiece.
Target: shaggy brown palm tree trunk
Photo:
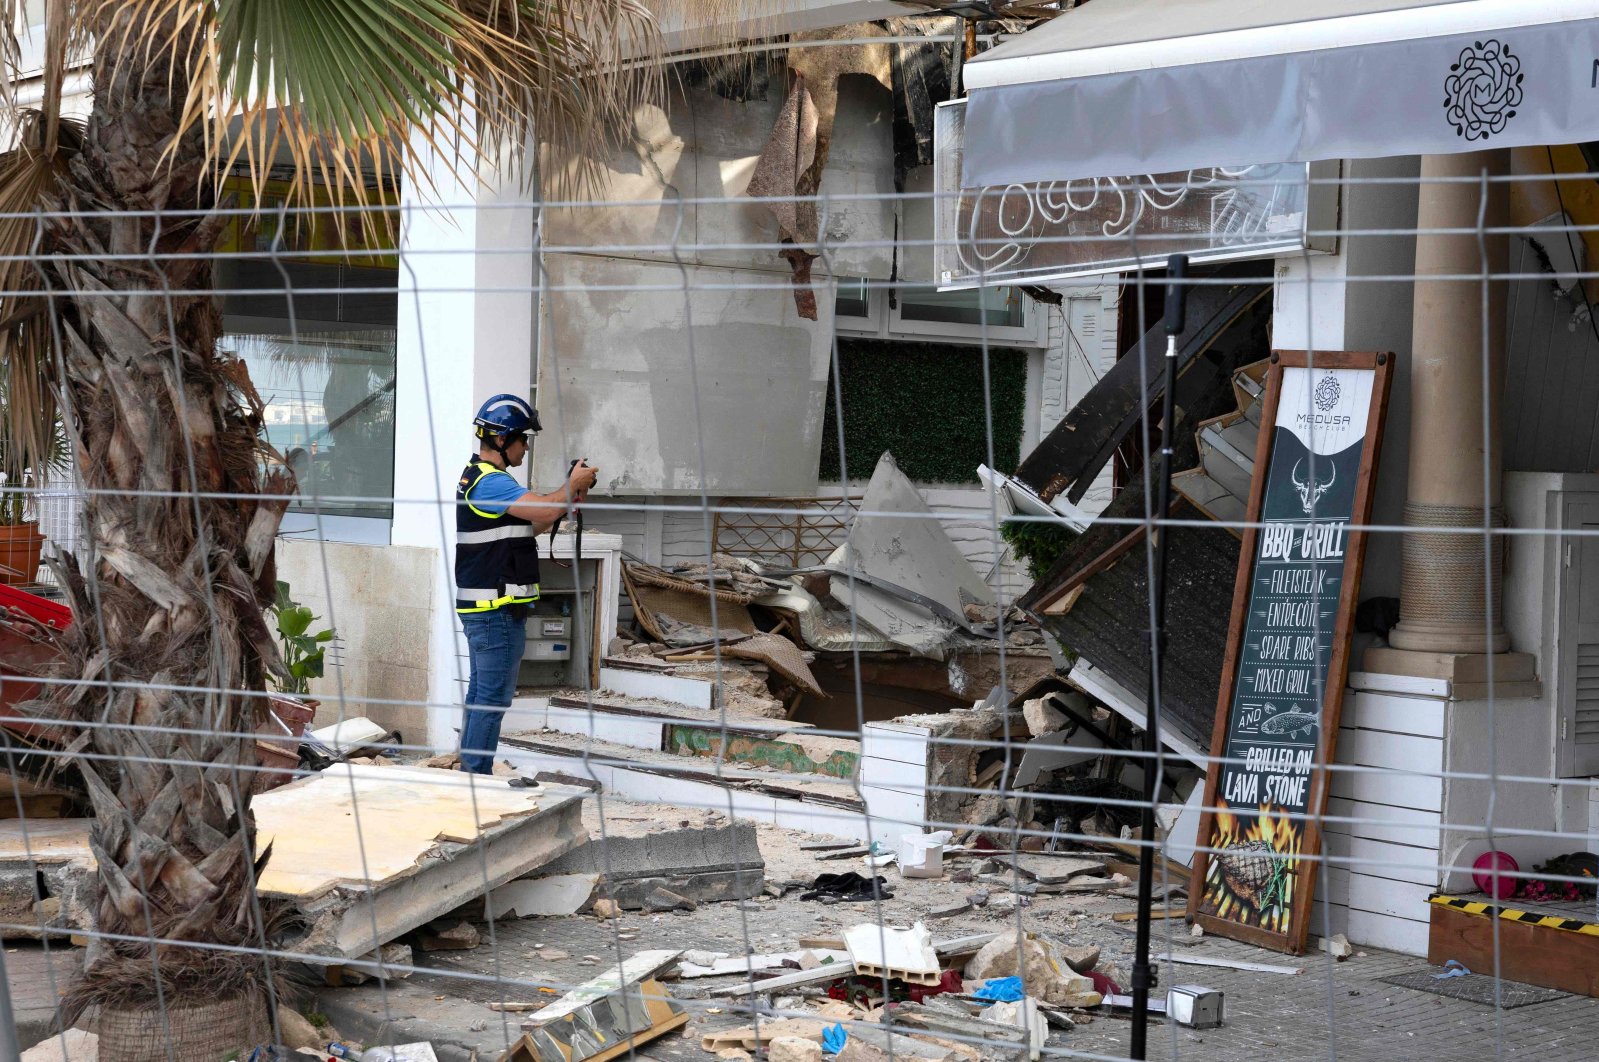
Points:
(169, 637)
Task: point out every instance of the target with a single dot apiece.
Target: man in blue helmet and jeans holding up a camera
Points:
(498, 524)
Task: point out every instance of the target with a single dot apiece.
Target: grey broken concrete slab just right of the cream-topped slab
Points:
(698, 864)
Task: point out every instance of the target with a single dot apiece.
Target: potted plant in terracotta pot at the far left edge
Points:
(28, 460)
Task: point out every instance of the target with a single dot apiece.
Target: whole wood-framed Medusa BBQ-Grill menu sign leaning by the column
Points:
(1288, 647)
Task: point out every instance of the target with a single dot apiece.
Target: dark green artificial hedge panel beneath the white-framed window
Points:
(923, 404)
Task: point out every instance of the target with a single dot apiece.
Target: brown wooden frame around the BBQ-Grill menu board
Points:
(1304, 864)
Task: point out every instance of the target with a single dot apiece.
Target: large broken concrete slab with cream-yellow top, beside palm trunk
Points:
(396, 848)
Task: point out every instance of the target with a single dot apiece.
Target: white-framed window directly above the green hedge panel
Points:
(923, 313)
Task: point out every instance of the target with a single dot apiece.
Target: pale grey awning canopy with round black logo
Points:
(1134, 87)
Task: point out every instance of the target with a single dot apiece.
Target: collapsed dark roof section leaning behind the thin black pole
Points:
(1096, 599)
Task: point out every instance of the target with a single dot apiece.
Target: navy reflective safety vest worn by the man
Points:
(496, 554)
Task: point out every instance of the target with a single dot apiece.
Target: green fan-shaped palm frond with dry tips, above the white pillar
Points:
(351, 94)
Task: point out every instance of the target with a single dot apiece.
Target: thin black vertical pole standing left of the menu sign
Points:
(1176, 308)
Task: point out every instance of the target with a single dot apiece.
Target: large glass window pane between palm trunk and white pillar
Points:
(330, 410)
